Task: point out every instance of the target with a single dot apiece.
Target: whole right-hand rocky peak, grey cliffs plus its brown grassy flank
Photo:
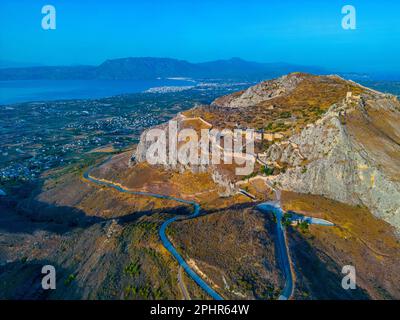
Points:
(348, 156)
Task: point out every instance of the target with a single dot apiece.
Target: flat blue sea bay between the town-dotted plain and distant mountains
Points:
(19, 91)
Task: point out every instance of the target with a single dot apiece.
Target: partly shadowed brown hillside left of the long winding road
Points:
(104, 245)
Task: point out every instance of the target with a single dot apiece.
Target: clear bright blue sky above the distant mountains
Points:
(305, 32)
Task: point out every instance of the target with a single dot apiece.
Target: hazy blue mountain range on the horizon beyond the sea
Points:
(151, 68)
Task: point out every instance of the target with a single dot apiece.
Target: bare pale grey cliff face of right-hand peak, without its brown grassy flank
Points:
(330, 161)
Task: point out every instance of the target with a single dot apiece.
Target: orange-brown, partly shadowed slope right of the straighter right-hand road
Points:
(359, 239)
